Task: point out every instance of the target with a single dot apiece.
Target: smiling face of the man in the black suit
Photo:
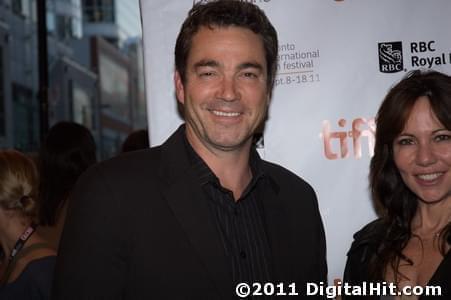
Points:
(225, 95)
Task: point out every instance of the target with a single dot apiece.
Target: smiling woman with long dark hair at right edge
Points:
(410, 178)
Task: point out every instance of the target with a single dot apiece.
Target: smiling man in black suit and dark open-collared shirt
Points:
(196, 216)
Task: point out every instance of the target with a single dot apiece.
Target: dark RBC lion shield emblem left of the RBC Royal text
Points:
(390, 57)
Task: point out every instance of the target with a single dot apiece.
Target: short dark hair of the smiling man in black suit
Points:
(225, 13)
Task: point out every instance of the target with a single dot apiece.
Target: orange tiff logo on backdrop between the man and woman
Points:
(360, 128)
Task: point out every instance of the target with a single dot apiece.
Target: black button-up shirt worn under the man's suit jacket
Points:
(240, 223)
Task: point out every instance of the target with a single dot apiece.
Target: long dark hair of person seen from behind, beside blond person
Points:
(67, 151)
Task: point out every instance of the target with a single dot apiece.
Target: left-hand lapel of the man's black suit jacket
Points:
(189, 204)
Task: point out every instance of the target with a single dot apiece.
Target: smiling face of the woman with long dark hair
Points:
(422, 154)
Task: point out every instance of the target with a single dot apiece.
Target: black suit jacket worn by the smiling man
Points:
(138, 227)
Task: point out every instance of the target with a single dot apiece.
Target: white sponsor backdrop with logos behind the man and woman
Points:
(337, 59)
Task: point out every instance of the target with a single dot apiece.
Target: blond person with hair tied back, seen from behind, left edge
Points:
(28, 260)
